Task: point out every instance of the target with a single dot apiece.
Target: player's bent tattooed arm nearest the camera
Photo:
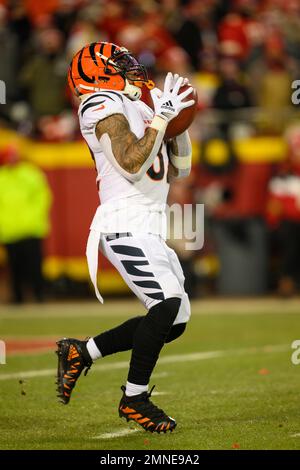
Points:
(131, 156)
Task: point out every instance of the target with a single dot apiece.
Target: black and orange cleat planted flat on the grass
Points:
(141, 410)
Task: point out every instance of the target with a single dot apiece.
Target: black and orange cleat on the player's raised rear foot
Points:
(73, 358)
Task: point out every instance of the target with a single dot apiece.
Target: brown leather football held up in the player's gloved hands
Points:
(185, 118)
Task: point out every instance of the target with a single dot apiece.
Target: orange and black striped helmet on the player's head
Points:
(103, 65)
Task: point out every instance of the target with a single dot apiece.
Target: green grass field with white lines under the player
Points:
(229, 381)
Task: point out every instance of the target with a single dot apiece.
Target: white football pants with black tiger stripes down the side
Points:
(149, 267)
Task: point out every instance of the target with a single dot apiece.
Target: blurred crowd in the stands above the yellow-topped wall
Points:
(239, 53)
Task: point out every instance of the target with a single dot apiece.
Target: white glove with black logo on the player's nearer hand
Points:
(169, 103)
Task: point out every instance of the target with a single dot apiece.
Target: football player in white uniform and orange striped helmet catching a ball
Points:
(126, 140)
